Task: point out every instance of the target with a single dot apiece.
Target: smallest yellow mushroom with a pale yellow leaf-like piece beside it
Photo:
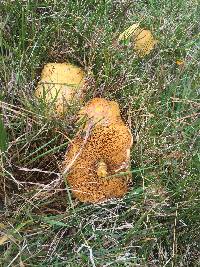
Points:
(143, 40)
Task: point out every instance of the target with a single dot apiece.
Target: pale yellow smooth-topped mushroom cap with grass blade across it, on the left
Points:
(60, 85)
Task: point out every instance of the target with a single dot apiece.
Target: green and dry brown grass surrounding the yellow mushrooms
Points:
(157, 222)
